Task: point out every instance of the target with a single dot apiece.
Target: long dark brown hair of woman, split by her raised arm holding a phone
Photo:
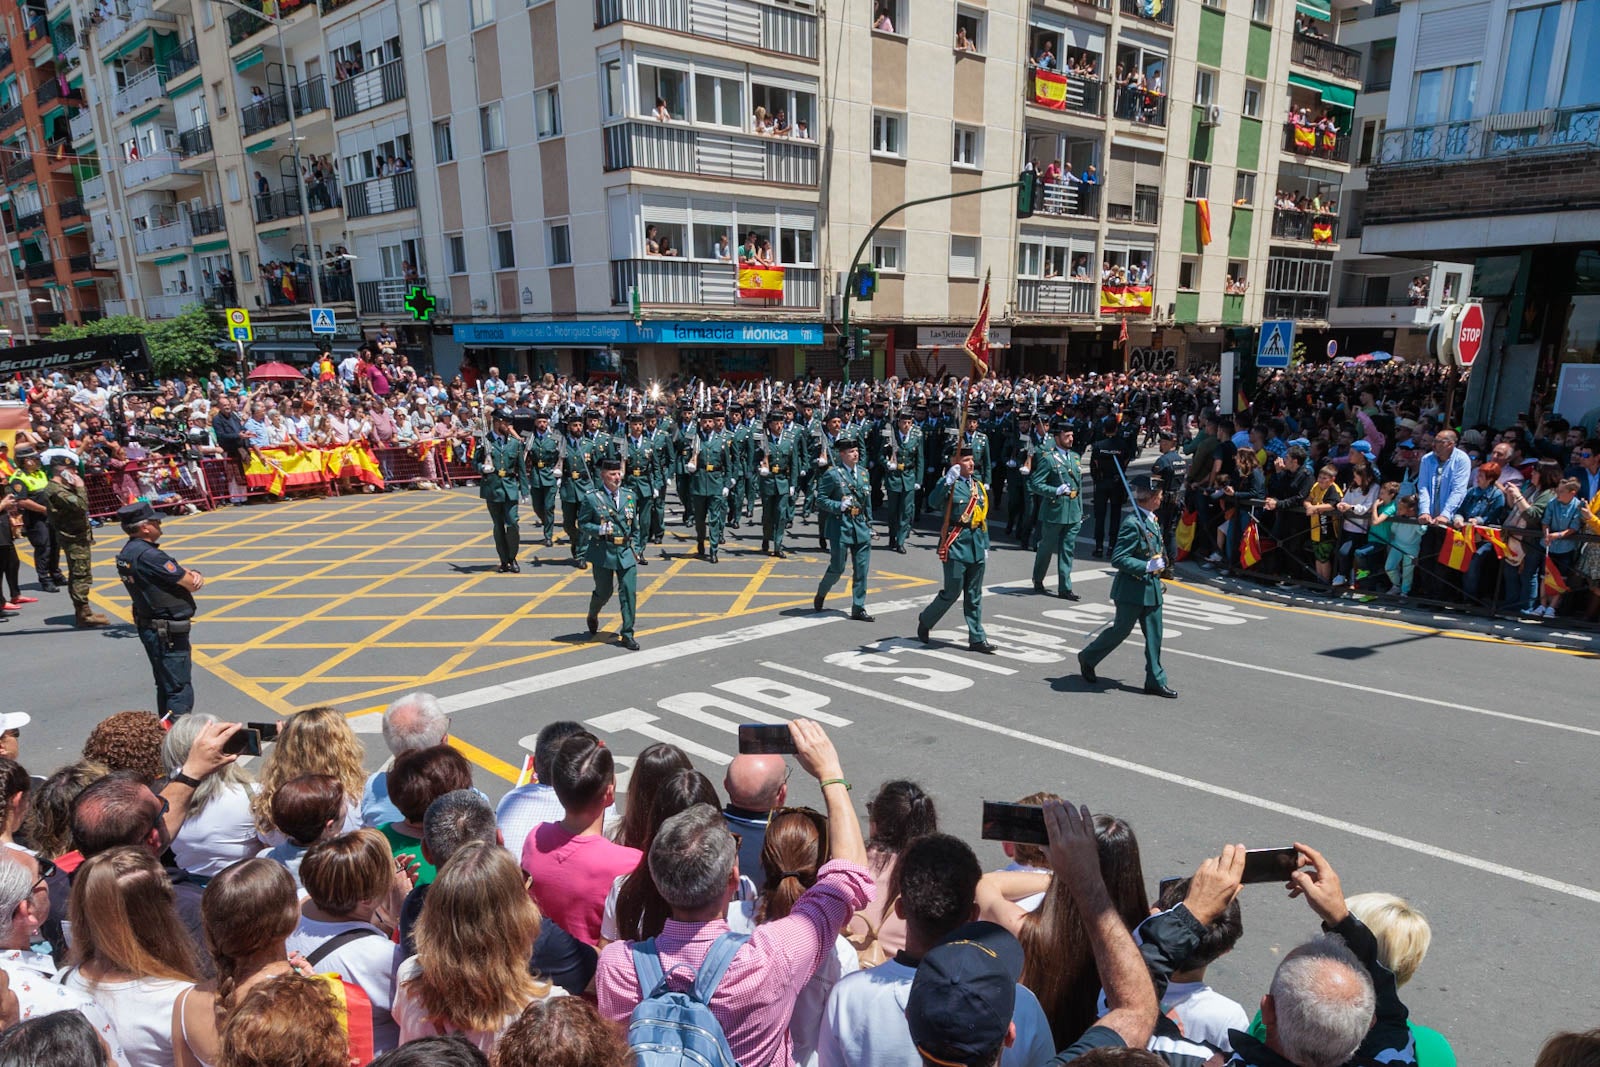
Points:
(1058, 961)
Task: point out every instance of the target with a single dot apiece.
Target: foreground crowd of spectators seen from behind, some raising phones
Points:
(164, 905)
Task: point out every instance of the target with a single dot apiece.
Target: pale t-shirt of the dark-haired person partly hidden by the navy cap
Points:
(865, 1023)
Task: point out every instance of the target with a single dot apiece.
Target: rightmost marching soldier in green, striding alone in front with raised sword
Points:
(1137, 591)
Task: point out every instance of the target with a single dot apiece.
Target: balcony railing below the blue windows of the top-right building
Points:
(1548, 130)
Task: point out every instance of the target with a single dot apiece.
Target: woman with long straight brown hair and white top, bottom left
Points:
(130, 951)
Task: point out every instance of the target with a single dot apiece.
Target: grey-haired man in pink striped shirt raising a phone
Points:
(695, 866)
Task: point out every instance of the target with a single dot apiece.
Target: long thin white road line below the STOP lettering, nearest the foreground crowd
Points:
(1207, 788)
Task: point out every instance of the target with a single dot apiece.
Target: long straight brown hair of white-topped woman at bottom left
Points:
(126, 922)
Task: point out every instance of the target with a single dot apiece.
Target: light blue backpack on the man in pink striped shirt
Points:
(678, 1029)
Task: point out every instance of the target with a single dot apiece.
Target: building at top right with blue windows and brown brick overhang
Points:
(1489, 158)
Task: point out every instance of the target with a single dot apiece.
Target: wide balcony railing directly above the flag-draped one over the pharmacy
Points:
(710, 153)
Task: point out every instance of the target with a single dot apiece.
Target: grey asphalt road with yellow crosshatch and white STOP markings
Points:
(1449, 767)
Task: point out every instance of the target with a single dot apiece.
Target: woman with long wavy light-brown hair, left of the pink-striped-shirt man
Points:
(470, 975)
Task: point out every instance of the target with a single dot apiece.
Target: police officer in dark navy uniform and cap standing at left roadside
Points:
(162, 593)
